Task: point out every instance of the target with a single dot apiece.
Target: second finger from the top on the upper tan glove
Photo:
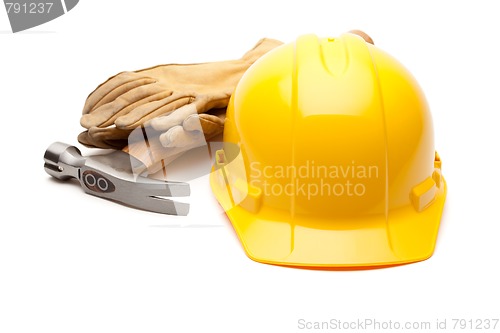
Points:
(106, 114)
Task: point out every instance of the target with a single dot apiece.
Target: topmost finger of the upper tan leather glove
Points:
(112, 88)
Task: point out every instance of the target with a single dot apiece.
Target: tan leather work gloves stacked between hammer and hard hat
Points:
(132, 99)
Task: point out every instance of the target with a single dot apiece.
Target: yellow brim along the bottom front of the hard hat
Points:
(272, 237)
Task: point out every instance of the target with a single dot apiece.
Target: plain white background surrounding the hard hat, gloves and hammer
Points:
(70, 262)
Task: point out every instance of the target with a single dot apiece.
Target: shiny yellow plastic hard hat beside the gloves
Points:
(328, 158)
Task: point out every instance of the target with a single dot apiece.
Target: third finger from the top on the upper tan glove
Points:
(151, 110)
